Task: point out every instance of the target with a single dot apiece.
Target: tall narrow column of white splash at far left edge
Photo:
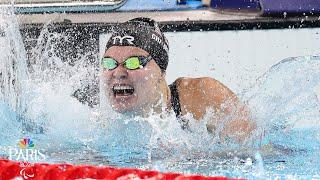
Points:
(13, 68)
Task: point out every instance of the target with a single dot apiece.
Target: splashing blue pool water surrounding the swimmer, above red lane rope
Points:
(36, 102)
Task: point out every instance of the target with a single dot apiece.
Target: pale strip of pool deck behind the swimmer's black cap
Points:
(160, 16)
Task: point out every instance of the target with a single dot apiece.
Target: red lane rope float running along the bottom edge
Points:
(23, 170)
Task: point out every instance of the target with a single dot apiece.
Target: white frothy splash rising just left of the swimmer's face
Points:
(67, 121)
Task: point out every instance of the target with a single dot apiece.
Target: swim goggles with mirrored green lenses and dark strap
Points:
(132, 63)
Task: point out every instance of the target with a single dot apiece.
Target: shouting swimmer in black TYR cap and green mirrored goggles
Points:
(134, 70)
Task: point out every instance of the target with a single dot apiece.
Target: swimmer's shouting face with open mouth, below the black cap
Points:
(131, 90)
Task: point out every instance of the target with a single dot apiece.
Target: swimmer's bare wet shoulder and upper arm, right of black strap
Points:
(198, 94)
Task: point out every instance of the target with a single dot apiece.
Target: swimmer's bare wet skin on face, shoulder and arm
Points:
(197, 95)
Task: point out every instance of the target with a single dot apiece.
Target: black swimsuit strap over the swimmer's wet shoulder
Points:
(175, 102)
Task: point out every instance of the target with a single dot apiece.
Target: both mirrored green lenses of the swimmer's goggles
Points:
(131, 63)
